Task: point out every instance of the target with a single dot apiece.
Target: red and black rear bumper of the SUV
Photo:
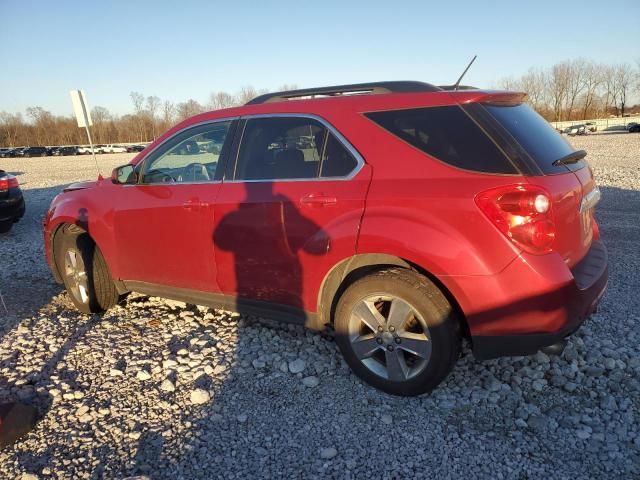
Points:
(557, 301)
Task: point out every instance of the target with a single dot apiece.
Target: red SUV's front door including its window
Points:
(160, 222)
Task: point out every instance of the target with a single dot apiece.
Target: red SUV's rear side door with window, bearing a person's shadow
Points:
(289, 209)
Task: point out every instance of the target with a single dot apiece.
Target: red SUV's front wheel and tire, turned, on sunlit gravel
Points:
(93, 292)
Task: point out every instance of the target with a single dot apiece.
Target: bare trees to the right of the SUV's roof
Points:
(579, 89)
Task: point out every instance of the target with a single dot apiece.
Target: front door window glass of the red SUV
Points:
(190, 157)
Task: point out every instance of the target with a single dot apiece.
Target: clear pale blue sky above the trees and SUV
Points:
(186, 49)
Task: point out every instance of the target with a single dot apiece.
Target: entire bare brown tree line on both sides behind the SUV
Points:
(571, 90)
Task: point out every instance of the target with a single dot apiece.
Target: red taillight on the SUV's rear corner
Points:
(523, 213)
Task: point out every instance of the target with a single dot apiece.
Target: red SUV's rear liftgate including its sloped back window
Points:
(568, 184)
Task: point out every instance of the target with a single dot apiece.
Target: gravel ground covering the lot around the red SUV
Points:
(168, 390)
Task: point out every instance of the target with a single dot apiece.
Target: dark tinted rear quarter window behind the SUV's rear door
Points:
(448, 134)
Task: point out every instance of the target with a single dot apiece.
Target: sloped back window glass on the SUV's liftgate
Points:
(535, 135)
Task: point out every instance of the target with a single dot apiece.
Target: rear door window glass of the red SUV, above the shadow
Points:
(280, 148)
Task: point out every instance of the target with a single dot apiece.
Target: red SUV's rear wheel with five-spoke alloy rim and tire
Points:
(381, 356)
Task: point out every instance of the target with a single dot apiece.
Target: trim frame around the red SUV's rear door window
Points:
(330, 128)
